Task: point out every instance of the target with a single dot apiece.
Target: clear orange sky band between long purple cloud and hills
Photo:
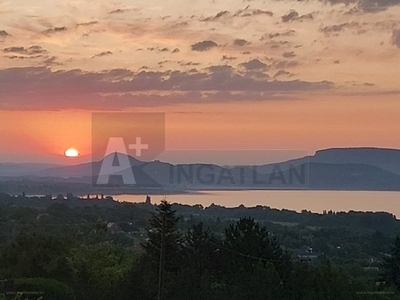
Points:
(287, 125)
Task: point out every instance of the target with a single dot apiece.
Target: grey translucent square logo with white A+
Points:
(122, 143)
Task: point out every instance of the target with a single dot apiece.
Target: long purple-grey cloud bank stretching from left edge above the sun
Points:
(41, 88)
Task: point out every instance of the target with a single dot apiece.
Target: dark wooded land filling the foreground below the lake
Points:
(125, 252)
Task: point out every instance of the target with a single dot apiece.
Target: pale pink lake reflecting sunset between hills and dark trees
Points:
(315, 201)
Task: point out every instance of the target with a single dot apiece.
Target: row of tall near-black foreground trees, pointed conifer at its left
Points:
(248, 263)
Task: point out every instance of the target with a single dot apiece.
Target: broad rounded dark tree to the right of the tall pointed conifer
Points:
(255, 265)
